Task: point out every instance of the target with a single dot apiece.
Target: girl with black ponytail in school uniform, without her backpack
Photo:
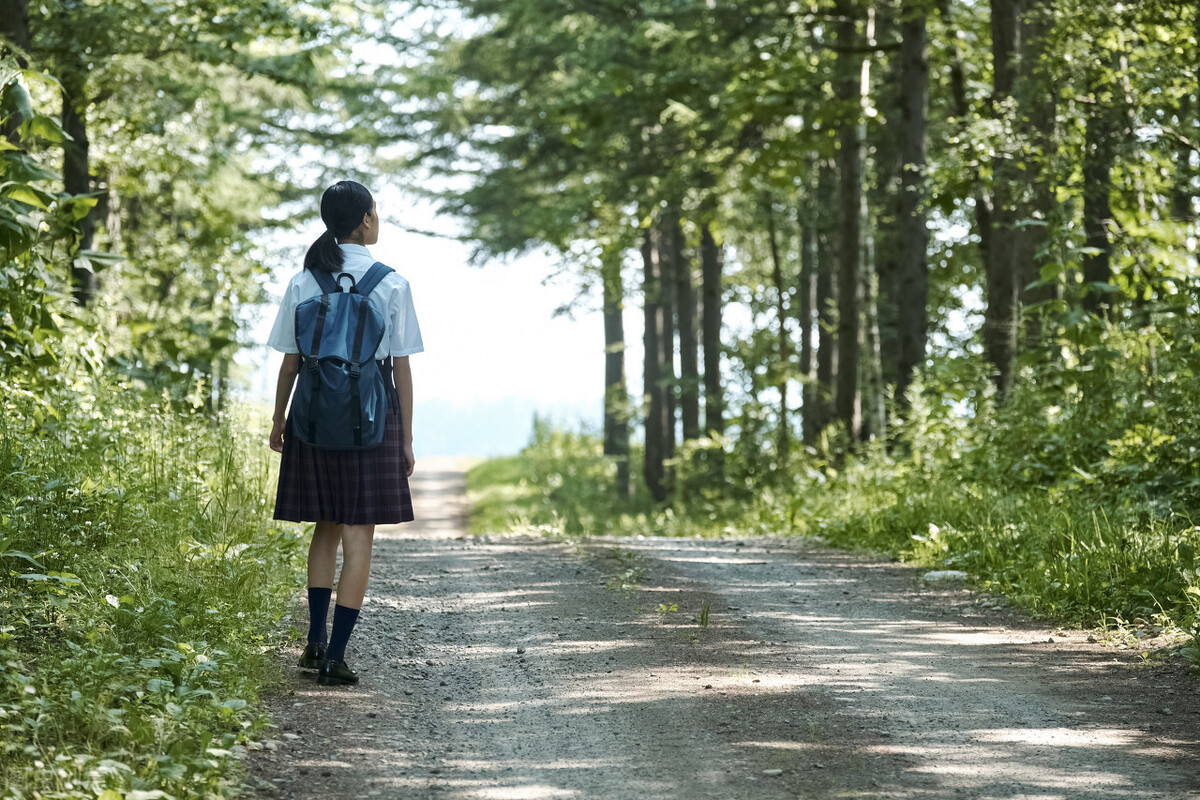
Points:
(347, 494)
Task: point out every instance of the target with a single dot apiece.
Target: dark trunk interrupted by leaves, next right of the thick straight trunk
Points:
(1003, 312)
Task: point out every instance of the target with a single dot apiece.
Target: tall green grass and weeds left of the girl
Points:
(142, 586)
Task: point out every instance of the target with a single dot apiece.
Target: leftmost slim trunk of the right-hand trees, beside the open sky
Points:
(616, 401)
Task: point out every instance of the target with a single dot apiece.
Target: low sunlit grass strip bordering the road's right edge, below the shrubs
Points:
(1076, 552)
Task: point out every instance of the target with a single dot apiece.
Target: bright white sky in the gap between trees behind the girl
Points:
(495, 353)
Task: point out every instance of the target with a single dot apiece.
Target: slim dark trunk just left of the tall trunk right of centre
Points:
(827, 300)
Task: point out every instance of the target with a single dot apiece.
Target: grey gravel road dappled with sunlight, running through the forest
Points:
(520, 669)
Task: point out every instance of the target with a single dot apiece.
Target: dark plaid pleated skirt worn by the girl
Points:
(352, 488)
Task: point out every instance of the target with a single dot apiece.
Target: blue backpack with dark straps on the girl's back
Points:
(340, 401)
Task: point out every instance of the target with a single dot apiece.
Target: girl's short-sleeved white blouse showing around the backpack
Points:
(393, 299)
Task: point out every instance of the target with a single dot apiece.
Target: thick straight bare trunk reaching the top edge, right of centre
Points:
(913, 239)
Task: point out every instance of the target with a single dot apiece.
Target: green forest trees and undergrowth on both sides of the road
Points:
(919, 278)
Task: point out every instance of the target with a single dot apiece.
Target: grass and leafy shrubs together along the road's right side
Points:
(1079, 512)
